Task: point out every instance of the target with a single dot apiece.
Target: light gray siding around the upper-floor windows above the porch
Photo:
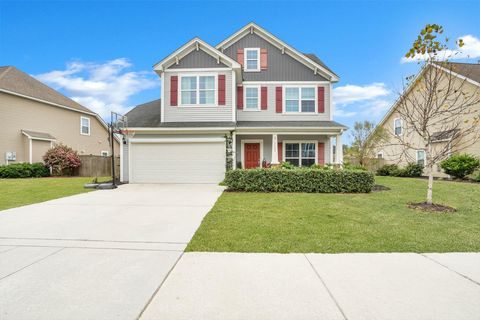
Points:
(271, 115)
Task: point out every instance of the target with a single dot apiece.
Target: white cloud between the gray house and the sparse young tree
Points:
(355, 100)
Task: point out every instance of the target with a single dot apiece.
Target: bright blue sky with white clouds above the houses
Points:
(101, 53)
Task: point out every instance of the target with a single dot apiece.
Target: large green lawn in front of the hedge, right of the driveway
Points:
(332, 223)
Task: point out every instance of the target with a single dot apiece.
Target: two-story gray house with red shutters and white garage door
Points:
(272, 100)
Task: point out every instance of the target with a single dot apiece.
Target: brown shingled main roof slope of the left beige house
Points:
(18, 82)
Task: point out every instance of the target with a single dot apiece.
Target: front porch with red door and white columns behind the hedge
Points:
(253, 150)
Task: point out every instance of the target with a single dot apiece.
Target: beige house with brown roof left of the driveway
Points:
(35, 117)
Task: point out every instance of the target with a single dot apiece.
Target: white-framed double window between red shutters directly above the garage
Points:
(197, 90)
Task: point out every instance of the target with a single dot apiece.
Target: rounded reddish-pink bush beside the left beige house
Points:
(62, 159)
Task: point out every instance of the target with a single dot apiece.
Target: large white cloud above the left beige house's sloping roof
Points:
(101, 87)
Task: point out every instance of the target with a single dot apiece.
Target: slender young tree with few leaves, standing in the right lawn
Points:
(437, 108)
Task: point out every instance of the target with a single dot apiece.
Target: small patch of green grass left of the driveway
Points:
(20, 192)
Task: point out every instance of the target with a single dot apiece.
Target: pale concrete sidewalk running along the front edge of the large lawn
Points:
(320, 286)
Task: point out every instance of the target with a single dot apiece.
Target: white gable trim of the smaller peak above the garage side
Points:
(195, 44)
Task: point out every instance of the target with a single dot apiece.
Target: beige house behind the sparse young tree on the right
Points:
(452, 135)
